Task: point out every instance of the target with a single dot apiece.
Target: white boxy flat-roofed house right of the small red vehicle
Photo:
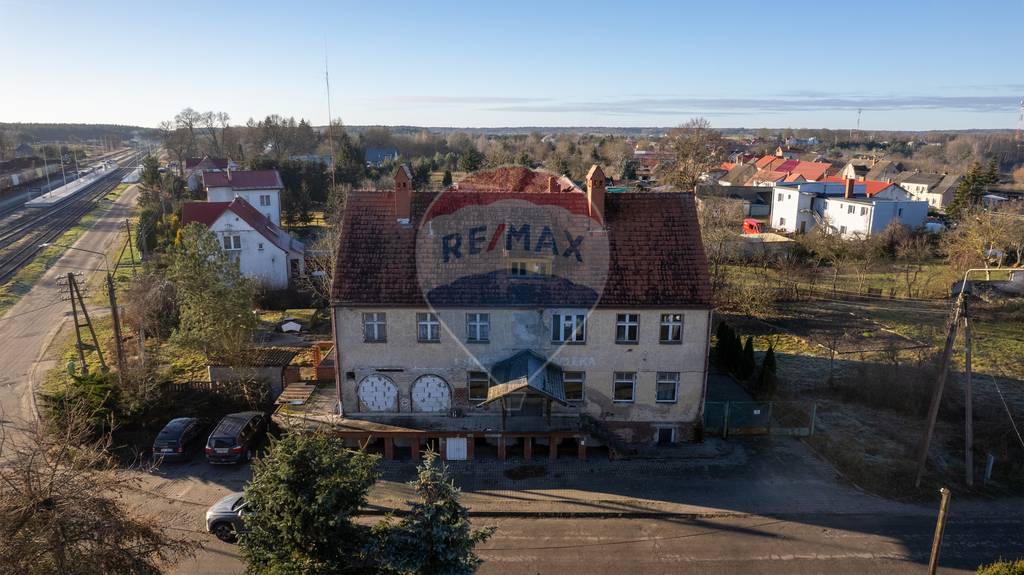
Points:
(844, 207)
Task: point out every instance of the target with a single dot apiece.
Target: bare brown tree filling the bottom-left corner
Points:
(61, 510)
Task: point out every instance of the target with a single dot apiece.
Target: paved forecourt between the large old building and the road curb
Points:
(760, 476)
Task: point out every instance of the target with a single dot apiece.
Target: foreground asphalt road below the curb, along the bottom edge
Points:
(730, 546)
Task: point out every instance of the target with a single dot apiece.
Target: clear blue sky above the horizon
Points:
(911, 65)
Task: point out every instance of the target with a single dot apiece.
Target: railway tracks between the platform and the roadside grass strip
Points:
(47, 227)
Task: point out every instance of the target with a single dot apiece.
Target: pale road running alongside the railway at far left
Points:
(27, 328)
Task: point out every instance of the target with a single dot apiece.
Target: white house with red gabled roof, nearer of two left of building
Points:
(265, 252)
